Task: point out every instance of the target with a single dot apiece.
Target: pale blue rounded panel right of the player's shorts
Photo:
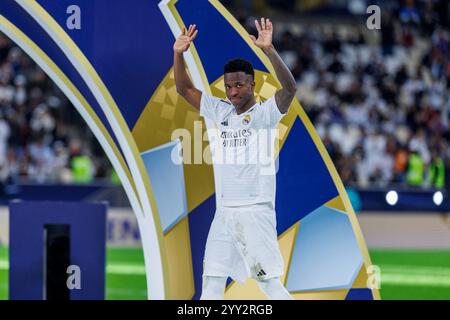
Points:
(326, 254)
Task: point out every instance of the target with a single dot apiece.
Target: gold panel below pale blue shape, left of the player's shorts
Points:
(179, 261)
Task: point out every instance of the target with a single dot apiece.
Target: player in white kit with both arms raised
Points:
(242, 240)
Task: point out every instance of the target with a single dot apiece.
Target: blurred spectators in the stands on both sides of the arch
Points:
(379, 99)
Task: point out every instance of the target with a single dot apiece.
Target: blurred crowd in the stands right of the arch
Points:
(379, 99)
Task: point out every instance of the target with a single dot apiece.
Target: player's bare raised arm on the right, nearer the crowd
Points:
(286, 94)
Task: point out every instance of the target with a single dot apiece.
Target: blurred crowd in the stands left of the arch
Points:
(42, 137)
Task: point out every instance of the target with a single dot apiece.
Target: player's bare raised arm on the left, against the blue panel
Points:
(184, 85)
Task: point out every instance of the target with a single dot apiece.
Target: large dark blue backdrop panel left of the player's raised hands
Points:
(131, 70)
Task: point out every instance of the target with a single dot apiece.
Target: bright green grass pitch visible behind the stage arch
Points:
(405, 274)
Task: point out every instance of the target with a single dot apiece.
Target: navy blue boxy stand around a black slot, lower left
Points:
(87, 223)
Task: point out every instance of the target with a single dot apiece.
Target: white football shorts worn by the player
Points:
(242, 243)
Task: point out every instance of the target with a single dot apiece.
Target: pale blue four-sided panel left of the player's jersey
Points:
(165, 170)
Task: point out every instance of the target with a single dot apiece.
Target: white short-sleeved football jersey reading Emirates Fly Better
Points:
(244, 150)
